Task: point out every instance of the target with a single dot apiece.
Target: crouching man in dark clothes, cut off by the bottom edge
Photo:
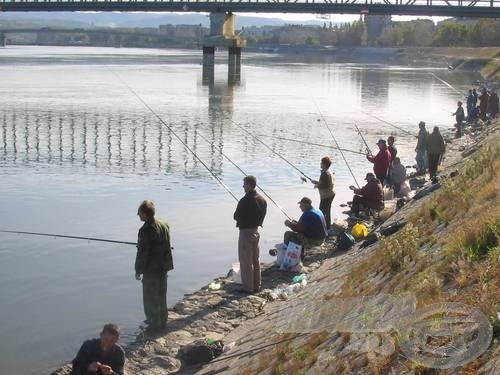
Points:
(101, 356)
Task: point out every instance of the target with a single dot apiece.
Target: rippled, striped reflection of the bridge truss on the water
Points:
(118, 142)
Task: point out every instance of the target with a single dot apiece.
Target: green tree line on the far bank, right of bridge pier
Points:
(416, 33)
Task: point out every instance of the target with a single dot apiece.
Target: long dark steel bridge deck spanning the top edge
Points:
(448, 8)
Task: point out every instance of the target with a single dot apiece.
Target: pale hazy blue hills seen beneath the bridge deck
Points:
(109, 19)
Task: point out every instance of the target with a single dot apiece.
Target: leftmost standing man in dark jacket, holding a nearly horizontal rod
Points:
(152, 263)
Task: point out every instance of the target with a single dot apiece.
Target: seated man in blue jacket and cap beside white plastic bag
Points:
(310, 230)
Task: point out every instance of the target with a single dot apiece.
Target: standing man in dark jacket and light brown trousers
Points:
(249, 215)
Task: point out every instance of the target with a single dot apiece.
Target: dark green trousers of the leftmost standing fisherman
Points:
(154, 297)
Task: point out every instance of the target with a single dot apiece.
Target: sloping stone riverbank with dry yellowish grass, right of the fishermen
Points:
(445, 253)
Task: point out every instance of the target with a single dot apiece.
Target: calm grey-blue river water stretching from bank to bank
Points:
(79, 151)
